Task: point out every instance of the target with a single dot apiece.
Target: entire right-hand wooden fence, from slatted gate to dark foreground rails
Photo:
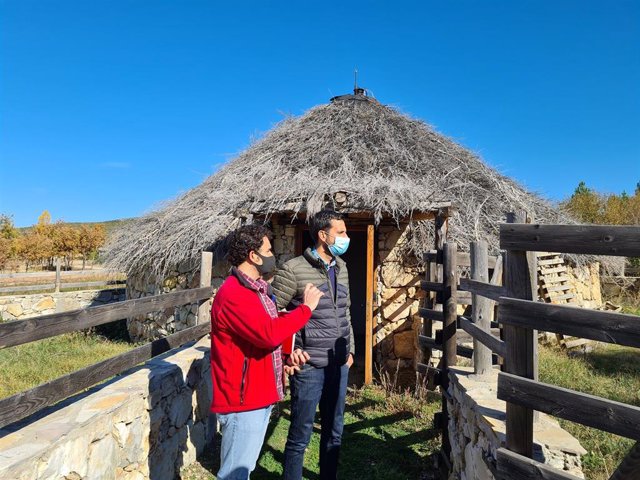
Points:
(520, 317)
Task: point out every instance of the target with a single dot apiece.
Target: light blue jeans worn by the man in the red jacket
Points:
(242, 438)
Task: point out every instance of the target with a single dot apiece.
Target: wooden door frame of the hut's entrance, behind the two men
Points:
(369, 229)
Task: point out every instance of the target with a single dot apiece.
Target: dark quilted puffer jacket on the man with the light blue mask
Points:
(328, 337)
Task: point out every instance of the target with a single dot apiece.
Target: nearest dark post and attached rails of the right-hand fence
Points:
(522, 318)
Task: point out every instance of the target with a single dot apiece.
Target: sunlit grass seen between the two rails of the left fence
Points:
(26, 366)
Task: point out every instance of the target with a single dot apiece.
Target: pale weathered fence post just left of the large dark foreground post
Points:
(481, 307)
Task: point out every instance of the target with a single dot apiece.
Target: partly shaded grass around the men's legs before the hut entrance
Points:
(386, 437)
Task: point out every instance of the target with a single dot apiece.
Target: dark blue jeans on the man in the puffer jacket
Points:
(311, 386)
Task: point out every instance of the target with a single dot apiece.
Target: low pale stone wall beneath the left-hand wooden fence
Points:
(146, 424)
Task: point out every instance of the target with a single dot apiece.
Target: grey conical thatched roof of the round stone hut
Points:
(388, 164)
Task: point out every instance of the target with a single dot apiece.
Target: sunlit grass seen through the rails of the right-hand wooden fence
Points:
(609, 371)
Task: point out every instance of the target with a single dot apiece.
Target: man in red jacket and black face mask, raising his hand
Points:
(246, 359)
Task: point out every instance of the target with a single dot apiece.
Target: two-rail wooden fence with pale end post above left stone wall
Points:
(21, 405)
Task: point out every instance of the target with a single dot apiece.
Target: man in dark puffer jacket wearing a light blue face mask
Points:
(326, 342)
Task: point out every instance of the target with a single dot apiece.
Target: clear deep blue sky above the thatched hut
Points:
(108, 108)
